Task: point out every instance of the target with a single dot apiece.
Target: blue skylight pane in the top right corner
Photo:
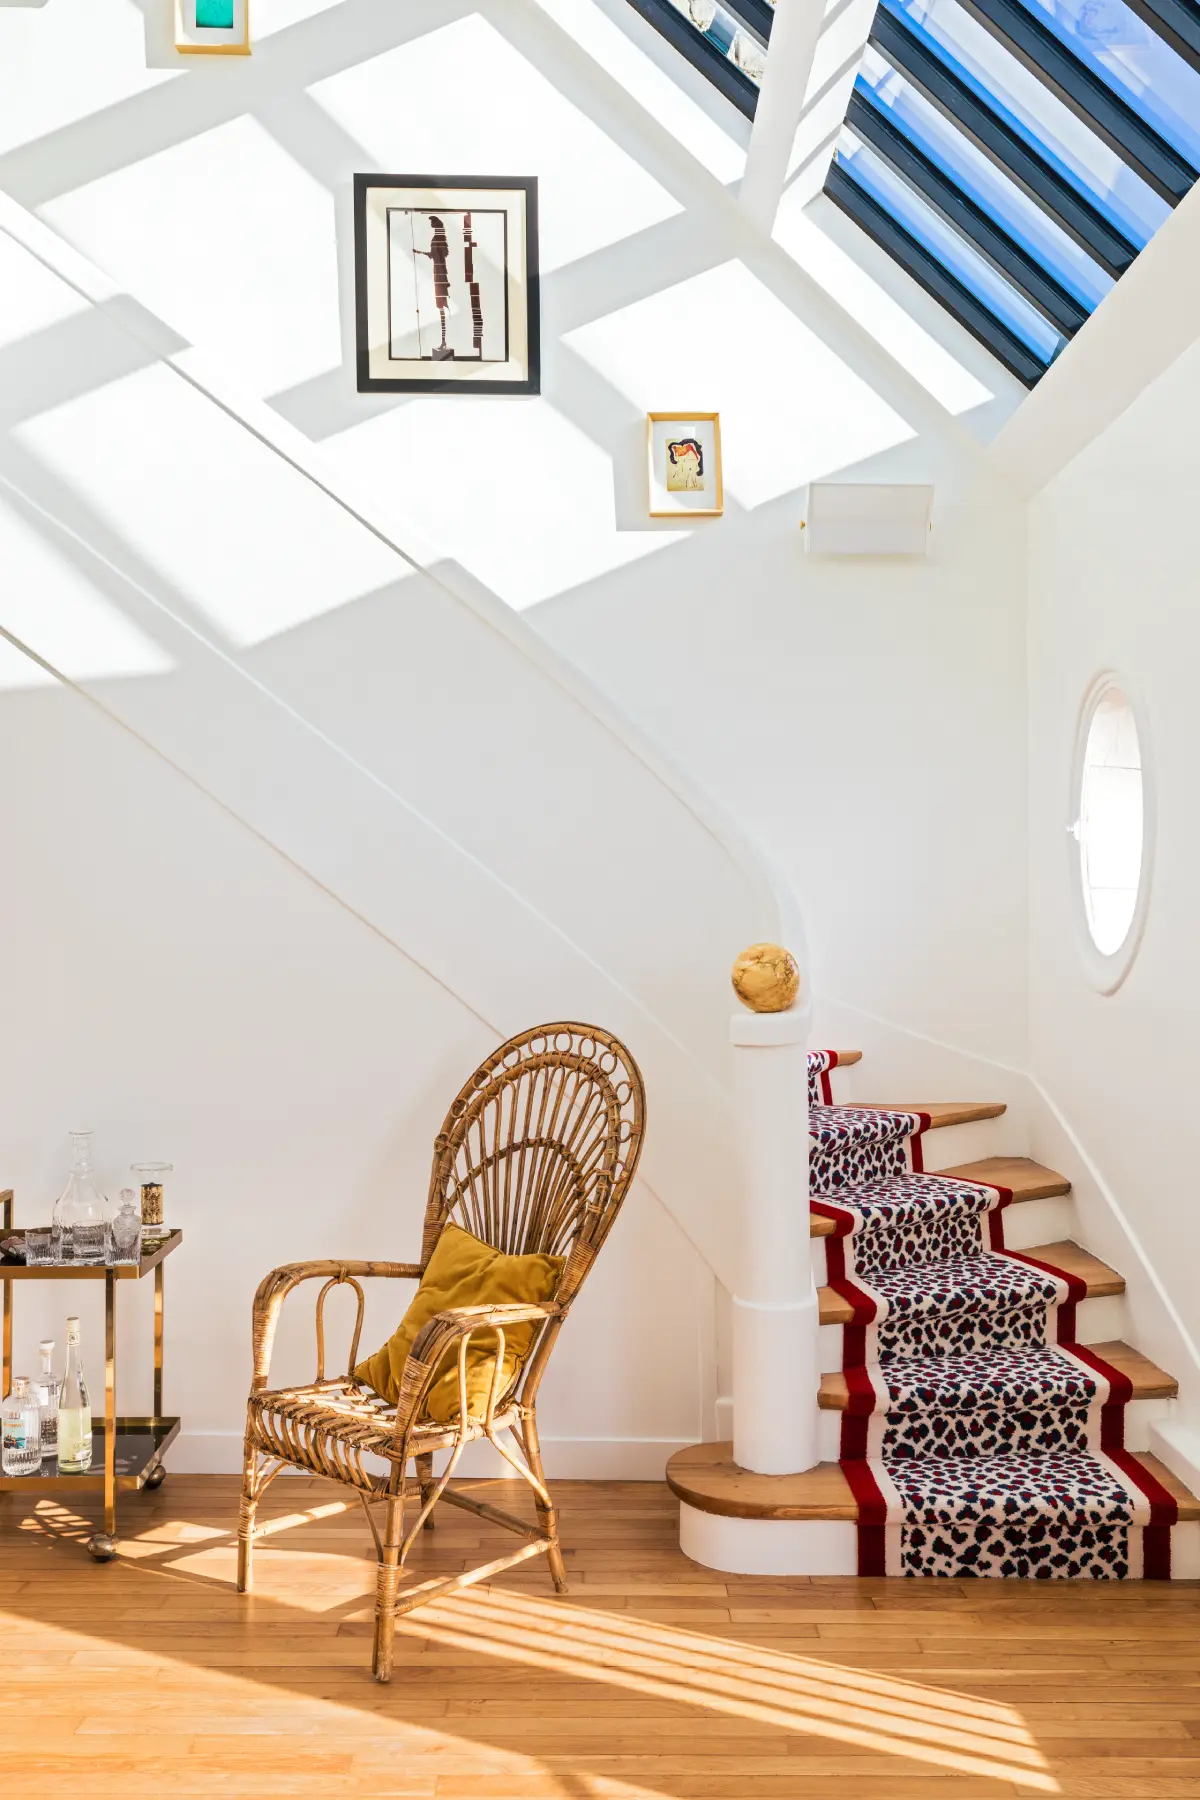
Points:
(1134, 60)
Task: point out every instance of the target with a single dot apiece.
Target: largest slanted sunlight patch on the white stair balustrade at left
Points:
(247, 541)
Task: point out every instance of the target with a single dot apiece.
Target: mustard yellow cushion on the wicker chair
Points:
(465, 1273)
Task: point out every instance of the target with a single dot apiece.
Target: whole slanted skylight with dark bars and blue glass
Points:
(1012, 156)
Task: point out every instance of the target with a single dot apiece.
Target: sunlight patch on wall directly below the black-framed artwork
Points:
(517, 494)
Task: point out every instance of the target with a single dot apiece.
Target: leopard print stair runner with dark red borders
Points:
(980, 1437)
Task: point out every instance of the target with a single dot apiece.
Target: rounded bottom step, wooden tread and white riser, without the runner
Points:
(748, 1524)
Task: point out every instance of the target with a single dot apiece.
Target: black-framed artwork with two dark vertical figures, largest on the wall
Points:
(447, 285)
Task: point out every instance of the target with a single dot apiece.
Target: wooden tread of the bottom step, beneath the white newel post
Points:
(706, 1477)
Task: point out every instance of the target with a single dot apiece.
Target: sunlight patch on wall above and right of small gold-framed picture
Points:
(724, 343)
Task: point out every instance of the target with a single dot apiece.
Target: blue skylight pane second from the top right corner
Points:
(1037, 116)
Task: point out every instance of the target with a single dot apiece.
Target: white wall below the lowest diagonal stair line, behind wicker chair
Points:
(174, 982)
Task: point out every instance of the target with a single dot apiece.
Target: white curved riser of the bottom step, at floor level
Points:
(828, 1547)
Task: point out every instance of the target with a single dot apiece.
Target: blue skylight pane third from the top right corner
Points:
(967, 166)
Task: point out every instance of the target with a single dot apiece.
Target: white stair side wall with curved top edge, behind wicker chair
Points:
(219, 679)
